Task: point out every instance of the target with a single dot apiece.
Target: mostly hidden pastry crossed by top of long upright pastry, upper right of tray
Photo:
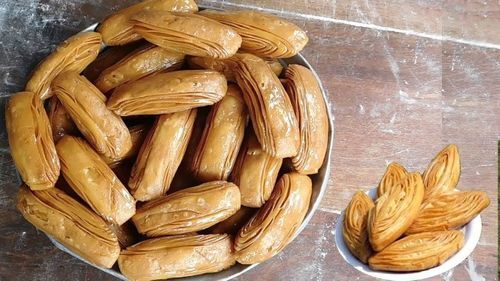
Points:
(227, 66)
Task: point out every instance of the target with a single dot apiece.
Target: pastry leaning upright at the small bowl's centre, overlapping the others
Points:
(395, 211)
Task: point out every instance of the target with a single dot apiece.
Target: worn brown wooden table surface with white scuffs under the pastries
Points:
(404, 78)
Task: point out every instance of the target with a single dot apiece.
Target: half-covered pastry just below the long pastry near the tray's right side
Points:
(255, 172)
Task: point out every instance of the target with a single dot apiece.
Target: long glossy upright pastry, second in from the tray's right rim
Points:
(270, 109)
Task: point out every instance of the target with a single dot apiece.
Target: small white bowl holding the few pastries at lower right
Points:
(472, 233)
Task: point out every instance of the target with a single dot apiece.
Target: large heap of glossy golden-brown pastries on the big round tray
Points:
(180, 150)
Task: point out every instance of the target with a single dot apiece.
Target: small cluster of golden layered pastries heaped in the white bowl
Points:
(414, 224)
